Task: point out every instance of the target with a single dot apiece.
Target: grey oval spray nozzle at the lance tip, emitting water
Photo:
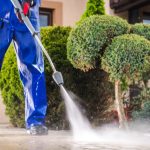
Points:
(58, 78)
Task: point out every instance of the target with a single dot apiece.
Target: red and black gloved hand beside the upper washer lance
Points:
(26, 5)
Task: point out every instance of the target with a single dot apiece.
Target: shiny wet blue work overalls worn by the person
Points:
(29, 60)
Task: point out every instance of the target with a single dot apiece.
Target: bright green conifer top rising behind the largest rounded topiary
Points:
(94, 7)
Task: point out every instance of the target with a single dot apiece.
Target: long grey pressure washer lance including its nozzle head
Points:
(57, 76)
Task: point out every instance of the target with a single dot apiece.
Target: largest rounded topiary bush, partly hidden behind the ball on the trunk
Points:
(87, 41)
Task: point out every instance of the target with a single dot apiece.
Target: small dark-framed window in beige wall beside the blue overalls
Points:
(46, 17)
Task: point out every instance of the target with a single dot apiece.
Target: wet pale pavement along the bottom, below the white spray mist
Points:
(18, 139)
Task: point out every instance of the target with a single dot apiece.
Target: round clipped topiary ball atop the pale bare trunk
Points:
(127, 57)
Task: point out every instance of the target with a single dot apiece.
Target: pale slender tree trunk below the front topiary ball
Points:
(119, 106)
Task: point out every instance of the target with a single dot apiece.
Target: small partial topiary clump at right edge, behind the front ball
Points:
(141, 29)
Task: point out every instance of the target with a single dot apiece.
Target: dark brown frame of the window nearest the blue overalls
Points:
(49, 13)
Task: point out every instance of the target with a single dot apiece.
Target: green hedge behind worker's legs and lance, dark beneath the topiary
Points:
(93, 87)
